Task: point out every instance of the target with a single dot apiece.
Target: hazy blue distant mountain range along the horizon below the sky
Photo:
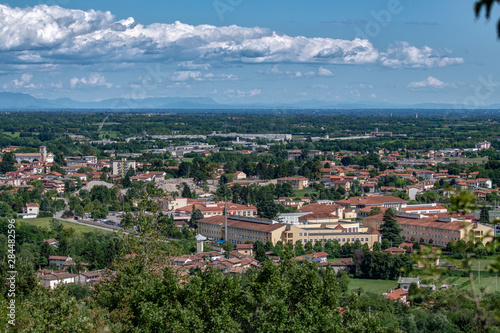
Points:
(19, 101)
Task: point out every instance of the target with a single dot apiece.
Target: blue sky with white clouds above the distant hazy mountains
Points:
(252, 52)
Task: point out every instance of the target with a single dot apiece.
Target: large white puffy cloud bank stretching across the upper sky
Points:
(54, 35)
